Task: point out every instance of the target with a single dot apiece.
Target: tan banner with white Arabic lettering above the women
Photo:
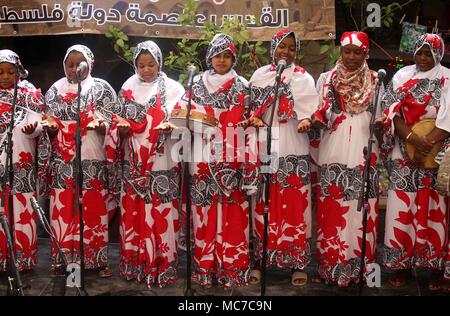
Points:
(310, 19)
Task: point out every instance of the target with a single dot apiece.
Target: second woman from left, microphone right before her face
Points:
(98, 104)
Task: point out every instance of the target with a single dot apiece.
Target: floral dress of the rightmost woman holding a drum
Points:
(416, 230)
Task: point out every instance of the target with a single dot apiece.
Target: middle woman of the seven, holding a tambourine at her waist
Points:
(220, 183)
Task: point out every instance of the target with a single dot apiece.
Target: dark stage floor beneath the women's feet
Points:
(40, 283)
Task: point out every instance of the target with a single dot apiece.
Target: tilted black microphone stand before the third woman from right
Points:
(267, 179)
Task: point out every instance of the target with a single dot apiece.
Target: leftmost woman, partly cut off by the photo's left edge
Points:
(27, 127)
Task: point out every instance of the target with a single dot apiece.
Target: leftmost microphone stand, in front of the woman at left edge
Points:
(15, 282)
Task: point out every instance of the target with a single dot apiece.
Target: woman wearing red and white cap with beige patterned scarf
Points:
(347, 100)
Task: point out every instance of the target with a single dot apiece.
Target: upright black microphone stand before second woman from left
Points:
(78, 177)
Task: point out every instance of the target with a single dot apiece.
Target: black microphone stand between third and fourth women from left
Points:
(185, 176)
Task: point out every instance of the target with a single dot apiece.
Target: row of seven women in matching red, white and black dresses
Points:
(128, 161)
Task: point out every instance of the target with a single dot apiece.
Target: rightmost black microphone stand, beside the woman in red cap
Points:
(363, 201)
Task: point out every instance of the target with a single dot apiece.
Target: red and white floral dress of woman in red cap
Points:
(339, 222)
